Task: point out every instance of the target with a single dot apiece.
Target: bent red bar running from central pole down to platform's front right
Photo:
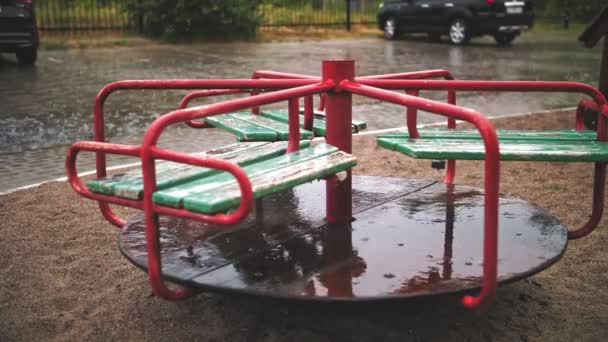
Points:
(492, 170)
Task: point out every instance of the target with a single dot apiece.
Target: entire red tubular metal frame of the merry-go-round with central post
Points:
(336, 87)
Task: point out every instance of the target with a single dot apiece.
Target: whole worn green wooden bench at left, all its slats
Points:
(205, 190)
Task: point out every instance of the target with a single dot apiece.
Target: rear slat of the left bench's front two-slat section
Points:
(174, 196)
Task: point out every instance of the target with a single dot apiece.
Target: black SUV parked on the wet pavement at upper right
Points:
(461, 20)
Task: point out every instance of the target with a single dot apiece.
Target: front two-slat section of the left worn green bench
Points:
(220, 192)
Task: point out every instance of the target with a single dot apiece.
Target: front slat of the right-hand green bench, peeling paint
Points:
(514, 150)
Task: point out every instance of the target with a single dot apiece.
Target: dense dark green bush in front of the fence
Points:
(179, 20)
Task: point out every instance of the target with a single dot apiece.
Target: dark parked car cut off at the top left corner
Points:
(18, 32)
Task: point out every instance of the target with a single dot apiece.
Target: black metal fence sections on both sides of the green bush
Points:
(91, 15)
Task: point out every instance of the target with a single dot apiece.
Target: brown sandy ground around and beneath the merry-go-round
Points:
(63, 278)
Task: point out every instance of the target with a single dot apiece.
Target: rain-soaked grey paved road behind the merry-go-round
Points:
(44, 109)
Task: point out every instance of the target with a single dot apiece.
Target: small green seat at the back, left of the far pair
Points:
(250, 127)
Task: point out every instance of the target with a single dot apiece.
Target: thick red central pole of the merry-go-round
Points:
(338, 111)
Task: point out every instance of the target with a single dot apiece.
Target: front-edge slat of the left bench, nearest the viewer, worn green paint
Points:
(227, 197)
